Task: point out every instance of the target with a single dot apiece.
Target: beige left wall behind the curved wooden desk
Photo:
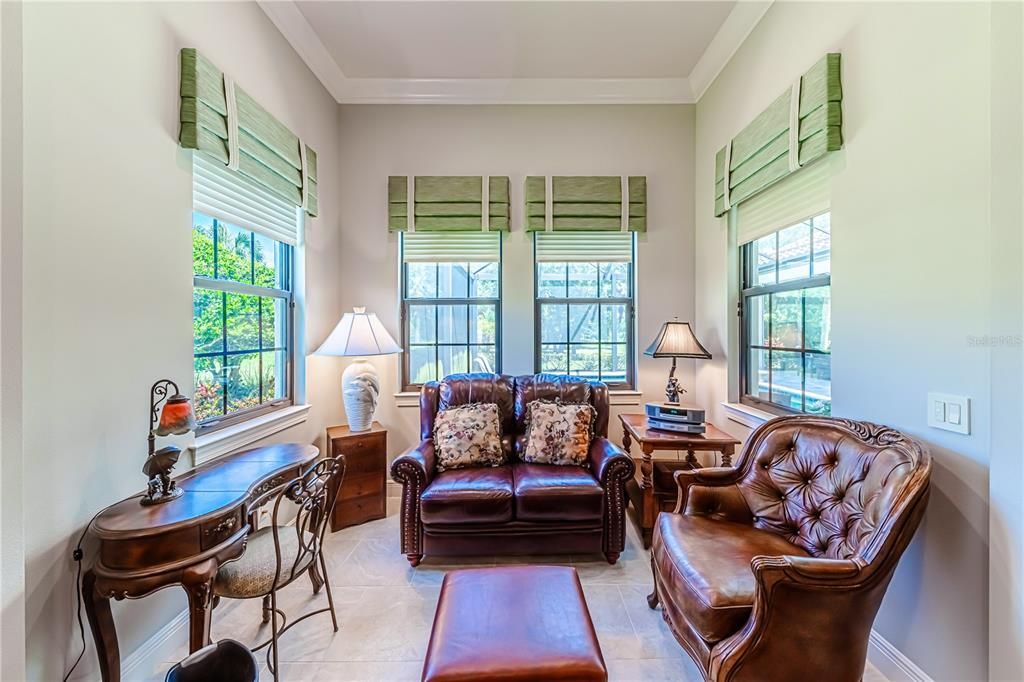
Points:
(108, 266)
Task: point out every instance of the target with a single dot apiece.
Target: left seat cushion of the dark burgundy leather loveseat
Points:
(468, 496)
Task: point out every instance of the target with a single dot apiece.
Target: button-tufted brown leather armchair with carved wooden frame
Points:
(776, 570)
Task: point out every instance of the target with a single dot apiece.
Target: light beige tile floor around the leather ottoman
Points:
(386, 610)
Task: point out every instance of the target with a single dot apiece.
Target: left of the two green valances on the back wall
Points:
(449, 203)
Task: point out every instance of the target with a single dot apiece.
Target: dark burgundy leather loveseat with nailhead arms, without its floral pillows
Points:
(519, 508)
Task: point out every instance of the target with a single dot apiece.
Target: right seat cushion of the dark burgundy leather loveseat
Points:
(550, 493)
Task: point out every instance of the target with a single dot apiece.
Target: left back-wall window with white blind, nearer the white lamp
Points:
(451, 305)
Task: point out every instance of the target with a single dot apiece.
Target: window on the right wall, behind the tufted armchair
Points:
(786, 319)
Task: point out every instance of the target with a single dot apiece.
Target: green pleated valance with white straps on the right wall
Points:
(801, 126)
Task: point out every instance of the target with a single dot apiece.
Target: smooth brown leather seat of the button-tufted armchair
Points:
(705, 566)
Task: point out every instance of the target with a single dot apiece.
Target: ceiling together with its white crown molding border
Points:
(506, 52)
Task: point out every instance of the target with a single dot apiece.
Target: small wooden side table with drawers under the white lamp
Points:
(364, 491)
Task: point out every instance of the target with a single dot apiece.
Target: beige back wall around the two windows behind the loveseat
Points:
(377, 142)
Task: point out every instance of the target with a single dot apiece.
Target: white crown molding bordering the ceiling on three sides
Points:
(293, 25)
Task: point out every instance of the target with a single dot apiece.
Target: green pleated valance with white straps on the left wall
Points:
(268, 154)
